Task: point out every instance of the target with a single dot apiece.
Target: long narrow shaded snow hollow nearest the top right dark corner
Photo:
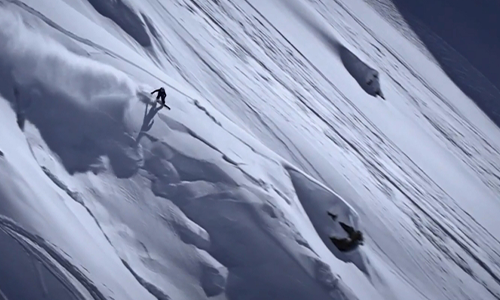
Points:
(367, 77)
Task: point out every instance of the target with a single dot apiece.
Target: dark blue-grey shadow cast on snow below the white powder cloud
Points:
(79, 136)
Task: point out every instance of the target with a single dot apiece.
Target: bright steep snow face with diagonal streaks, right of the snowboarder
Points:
(394, 154)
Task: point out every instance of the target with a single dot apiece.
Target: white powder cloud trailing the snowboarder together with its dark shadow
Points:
(78, 105)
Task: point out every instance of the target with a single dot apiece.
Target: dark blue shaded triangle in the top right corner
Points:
(463, 36)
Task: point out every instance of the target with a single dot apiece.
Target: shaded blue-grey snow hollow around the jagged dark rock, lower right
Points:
(318, 202)
